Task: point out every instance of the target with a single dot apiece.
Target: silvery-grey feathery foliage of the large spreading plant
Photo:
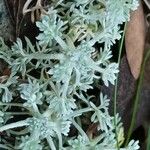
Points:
(66, 62)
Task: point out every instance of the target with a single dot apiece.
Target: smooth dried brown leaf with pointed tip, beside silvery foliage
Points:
(135, 40)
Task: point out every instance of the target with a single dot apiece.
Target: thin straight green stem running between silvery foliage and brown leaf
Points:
(116, 87)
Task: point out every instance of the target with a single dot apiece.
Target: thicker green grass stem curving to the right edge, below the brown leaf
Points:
(137, 97)
